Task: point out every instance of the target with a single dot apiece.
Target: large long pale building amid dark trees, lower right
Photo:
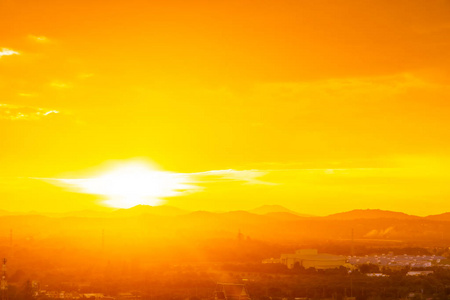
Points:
(310, 258)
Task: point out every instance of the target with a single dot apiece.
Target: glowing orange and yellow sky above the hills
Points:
(319, 106)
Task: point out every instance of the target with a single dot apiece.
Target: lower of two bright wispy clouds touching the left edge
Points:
(18, 113)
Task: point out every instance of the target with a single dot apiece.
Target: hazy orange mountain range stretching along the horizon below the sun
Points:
(147, 225)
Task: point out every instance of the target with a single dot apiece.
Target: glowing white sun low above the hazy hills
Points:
(132, 184)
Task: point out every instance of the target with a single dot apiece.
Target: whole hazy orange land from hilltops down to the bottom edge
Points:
(184, 256)
